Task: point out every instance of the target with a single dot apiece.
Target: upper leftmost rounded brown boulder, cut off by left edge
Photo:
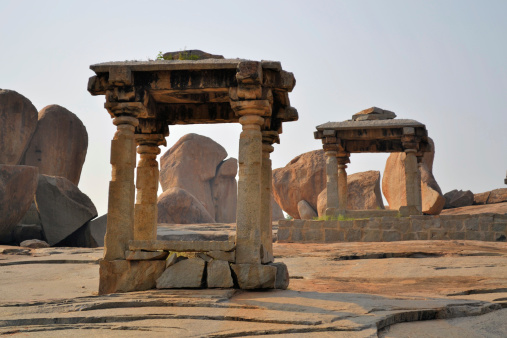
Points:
(18, 120)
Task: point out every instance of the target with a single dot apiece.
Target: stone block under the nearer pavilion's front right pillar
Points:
(255, 276)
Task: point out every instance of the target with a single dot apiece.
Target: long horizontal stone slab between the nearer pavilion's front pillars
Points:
(182, 246)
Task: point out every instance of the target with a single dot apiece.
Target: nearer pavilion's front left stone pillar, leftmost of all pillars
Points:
(120, 217)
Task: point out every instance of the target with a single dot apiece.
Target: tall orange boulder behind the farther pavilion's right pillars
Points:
(394, 189)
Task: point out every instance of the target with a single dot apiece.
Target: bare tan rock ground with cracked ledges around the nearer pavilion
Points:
(433, 288)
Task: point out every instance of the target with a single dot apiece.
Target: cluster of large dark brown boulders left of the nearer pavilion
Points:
(41, 159)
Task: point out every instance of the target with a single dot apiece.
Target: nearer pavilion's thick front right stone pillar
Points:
(248, 215)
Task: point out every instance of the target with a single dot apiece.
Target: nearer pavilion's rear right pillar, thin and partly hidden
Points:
(268, 138)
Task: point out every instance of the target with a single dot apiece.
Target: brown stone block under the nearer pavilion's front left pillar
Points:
(126, 276)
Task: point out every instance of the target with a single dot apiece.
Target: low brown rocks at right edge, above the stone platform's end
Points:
(464, 198)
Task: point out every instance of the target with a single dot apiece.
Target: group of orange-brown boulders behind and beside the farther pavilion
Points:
(300, 187)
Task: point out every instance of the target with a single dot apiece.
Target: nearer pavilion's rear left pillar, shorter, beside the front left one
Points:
(146, 214)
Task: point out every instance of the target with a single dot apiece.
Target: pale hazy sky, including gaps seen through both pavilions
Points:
(443, 63)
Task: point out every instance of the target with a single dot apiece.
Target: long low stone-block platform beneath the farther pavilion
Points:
(483, 227)
